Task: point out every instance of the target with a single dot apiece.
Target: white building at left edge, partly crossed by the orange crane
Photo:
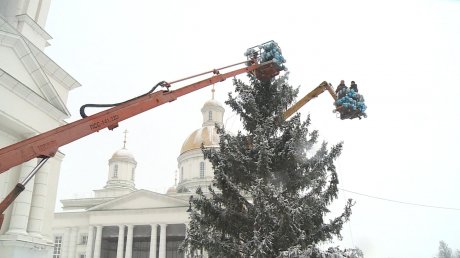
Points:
(33, 96)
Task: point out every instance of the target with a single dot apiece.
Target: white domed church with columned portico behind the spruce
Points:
(121, 221)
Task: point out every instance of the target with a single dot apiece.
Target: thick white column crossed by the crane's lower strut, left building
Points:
(21, 206)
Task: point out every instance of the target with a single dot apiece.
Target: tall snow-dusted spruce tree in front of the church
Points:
(272, 183)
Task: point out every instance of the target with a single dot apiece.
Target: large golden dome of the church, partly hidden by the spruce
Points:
(206, 135)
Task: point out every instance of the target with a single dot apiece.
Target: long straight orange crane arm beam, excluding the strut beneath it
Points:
(46, 144)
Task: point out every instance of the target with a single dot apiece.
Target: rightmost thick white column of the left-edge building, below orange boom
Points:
(37, 207)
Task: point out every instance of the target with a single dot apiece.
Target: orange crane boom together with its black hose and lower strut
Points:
(46, 145)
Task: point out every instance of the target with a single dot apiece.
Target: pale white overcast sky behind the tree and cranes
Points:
(404, 56)
